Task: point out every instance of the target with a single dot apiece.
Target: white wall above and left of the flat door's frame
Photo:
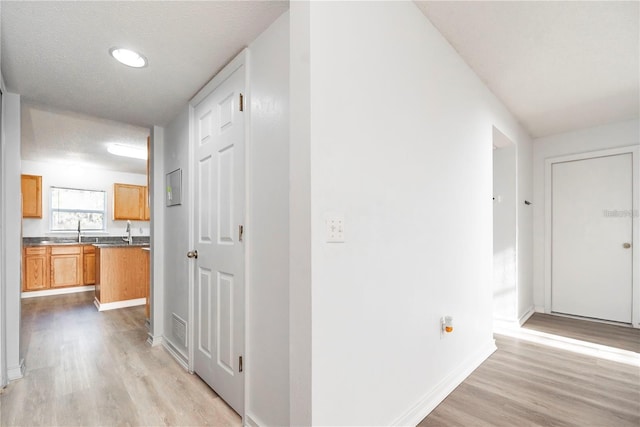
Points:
(582, 141)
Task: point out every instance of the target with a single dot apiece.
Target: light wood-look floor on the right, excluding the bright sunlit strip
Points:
(529, 384)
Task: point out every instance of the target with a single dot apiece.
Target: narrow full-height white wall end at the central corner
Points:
(299, 216)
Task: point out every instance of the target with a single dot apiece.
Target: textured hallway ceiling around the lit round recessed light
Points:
(56, 52)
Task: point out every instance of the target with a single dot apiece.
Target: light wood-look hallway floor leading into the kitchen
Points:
(86, 368)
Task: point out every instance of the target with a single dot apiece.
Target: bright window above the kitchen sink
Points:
(70, 205)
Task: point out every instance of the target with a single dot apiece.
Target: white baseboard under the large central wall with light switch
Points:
(429, 401)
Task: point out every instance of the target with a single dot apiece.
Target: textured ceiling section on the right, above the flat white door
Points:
(557, 66)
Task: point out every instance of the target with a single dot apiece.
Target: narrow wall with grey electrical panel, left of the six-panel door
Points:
(176, 230)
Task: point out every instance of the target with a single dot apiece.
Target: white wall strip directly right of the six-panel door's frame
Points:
(267, 381)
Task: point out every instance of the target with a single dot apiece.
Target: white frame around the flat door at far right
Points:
(635, 273)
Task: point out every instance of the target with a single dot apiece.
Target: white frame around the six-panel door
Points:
(240, 60)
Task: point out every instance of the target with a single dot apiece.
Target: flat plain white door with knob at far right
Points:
(592, 255)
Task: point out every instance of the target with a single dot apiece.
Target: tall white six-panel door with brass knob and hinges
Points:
(219, 213)
